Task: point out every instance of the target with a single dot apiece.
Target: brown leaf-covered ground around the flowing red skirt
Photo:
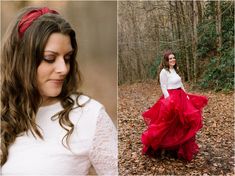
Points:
(215, 139)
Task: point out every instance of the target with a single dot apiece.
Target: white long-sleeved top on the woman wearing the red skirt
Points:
(170, 80)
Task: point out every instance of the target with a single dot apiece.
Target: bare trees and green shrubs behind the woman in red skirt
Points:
(199, 32)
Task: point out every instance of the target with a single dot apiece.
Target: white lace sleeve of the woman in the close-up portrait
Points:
(103, 154)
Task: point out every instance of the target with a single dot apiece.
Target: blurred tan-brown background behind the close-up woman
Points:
(95, 23)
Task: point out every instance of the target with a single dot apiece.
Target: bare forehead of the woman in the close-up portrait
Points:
(58, 42)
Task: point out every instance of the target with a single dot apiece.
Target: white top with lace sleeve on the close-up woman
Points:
(93, 142)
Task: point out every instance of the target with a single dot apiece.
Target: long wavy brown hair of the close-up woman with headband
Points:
(20, 98)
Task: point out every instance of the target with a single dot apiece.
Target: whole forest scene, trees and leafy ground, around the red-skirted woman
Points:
(201, 33)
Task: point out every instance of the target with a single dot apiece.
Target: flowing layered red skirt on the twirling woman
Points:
(173, 123)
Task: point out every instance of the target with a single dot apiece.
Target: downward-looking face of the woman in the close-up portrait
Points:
(54, 67)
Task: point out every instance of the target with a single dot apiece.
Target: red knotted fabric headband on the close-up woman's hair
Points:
(29, 17)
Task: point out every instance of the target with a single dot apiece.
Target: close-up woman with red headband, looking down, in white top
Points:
(47, 127)
